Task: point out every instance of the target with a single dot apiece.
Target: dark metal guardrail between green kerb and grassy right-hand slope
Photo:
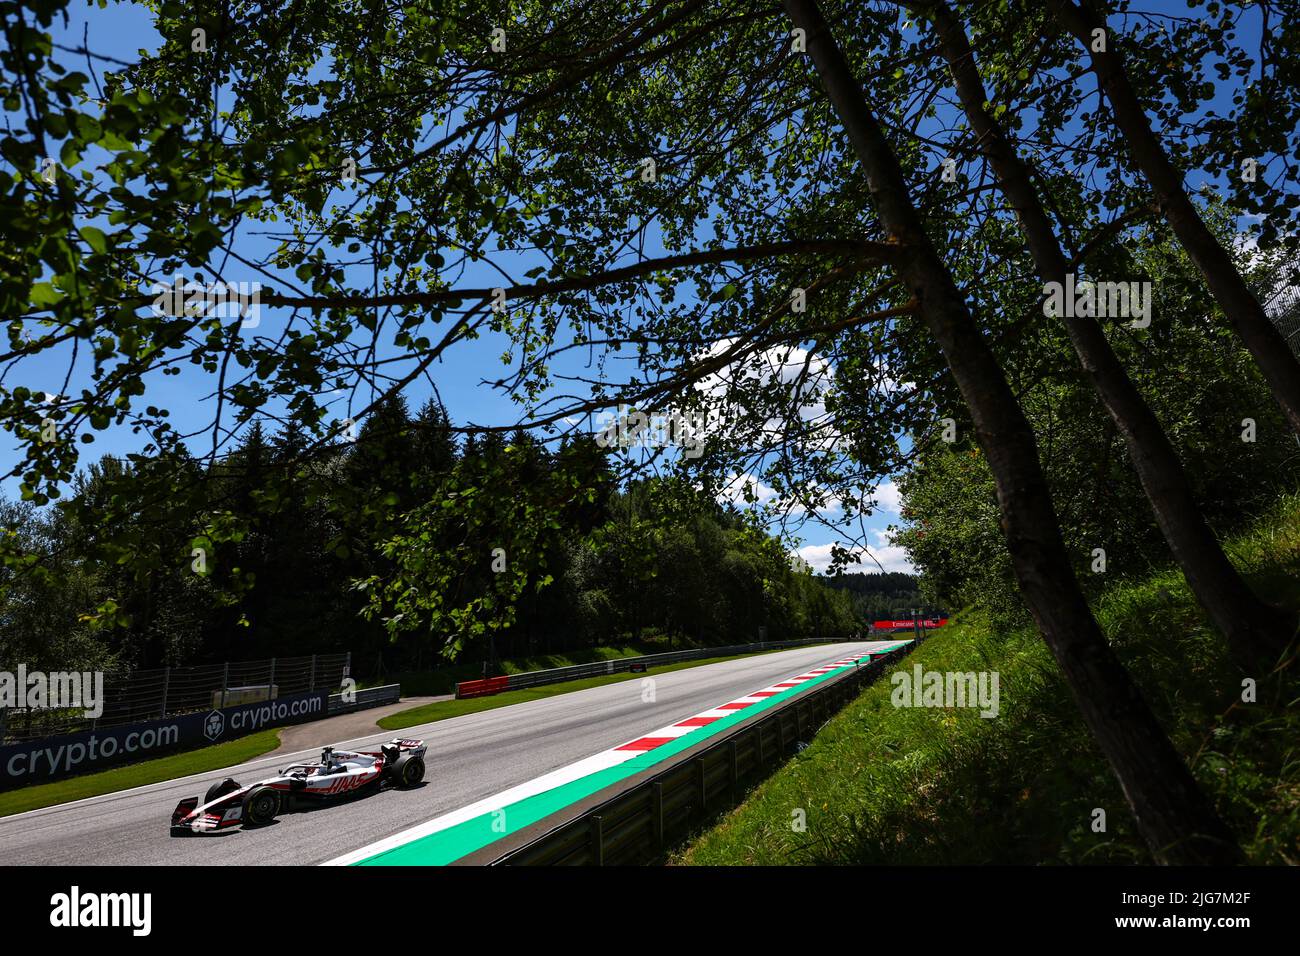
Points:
(639, 825)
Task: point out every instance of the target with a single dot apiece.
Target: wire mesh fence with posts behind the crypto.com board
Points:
(166, 691)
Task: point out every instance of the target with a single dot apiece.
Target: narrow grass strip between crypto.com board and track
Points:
(140, 775)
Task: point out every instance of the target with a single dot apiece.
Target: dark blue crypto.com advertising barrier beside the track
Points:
(41, 762)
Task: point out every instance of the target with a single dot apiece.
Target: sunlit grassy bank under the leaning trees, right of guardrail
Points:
(886, 785)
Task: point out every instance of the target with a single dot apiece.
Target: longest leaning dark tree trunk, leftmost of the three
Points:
(1173, 815)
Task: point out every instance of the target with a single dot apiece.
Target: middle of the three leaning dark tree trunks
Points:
(1256, 633)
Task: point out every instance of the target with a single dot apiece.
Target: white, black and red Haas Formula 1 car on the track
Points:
(339, 775)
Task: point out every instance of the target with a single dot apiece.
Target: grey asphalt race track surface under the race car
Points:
(470, 759)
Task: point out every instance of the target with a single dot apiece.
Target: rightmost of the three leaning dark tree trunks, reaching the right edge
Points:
(1262, 338)
